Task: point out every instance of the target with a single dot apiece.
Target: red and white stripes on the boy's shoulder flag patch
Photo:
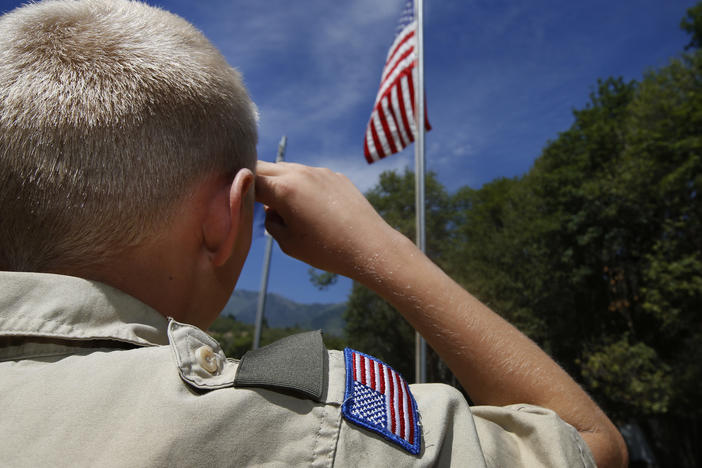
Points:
(382, 379)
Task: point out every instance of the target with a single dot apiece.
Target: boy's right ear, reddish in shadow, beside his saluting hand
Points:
(222, 225)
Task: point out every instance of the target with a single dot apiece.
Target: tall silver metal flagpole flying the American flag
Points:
(420, 344)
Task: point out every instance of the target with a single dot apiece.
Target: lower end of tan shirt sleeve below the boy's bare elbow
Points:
(526, 435)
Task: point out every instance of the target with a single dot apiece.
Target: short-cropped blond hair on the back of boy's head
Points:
(110, 112)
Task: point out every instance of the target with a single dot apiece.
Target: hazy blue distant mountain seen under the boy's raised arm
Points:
(282, 312)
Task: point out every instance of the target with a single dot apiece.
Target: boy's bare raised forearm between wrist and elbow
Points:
(495, 363)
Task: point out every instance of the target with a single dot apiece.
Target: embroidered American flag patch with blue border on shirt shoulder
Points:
(379, 399)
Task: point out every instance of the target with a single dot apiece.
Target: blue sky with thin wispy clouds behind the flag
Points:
(502, 78)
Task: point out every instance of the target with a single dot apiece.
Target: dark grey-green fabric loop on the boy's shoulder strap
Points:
(295, 363)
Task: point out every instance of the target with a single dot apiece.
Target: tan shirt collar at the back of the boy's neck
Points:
(66, 307)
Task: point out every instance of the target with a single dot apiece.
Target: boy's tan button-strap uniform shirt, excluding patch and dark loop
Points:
(89, 376)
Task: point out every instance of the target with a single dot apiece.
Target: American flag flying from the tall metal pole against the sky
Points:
(392, 123)
